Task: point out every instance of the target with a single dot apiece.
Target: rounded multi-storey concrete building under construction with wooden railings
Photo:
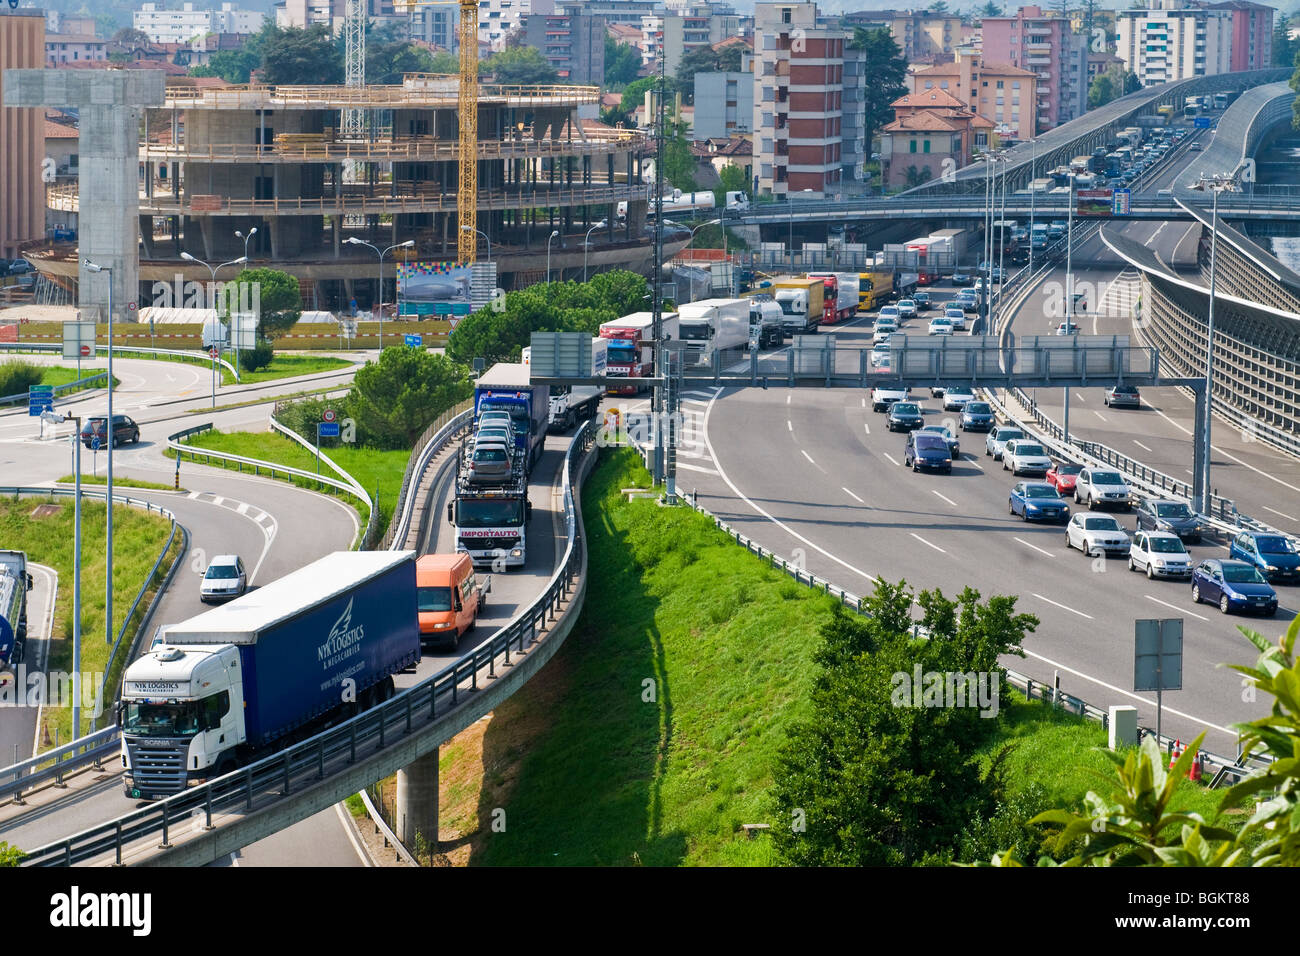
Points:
(220, 161)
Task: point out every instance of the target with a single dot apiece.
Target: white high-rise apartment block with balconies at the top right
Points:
(1172, 41)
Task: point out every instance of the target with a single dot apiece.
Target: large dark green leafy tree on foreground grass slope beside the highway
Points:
(913, 790)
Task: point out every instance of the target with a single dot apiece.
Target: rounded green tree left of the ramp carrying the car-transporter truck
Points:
(396, 399)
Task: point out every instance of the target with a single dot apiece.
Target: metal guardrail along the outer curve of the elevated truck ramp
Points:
(408, 713)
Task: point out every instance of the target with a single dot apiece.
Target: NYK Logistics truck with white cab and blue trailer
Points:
(274, 667)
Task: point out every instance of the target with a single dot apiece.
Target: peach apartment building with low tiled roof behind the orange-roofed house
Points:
(1004, 94)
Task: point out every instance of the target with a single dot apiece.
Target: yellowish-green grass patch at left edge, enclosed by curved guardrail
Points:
(44, 529)
